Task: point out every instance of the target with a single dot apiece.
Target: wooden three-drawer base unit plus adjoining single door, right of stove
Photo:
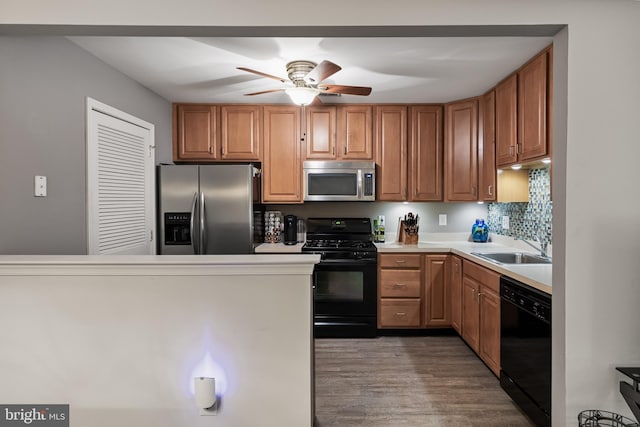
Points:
(413, 291)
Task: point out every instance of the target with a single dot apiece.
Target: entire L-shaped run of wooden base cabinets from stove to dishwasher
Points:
(417, 290)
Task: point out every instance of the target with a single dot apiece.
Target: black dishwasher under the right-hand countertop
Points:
(525, 348)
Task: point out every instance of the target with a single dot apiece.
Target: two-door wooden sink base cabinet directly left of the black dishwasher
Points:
(481, 313)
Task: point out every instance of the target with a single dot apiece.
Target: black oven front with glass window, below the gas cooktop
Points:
(345, 298)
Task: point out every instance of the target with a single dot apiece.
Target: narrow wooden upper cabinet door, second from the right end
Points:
(507, 121)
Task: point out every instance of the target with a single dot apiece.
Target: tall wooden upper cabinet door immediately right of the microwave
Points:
(391, 152)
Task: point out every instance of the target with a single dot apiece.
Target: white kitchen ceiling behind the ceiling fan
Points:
(399, 69)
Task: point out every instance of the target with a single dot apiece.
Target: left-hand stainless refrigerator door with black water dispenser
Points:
(177, 193)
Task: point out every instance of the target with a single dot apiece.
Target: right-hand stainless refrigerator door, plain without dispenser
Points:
(228, 195)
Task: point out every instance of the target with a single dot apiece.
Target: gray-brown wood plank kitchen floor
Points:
(407, 381)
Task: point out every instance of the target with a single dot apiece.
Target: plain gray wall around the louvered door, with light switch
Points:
(43, 85)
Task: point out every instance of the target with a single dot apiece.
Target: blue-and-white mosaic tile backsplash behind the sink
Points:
(526, 220)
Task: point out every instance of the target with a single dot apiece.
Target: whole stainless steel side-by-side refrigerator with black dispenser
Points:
(206, 209)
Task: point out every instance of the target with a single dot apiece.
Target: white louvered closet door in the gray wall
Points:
(120, 182)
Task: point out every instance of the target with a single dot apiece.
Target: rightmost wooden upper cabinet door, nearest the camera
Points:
(533, 108)
